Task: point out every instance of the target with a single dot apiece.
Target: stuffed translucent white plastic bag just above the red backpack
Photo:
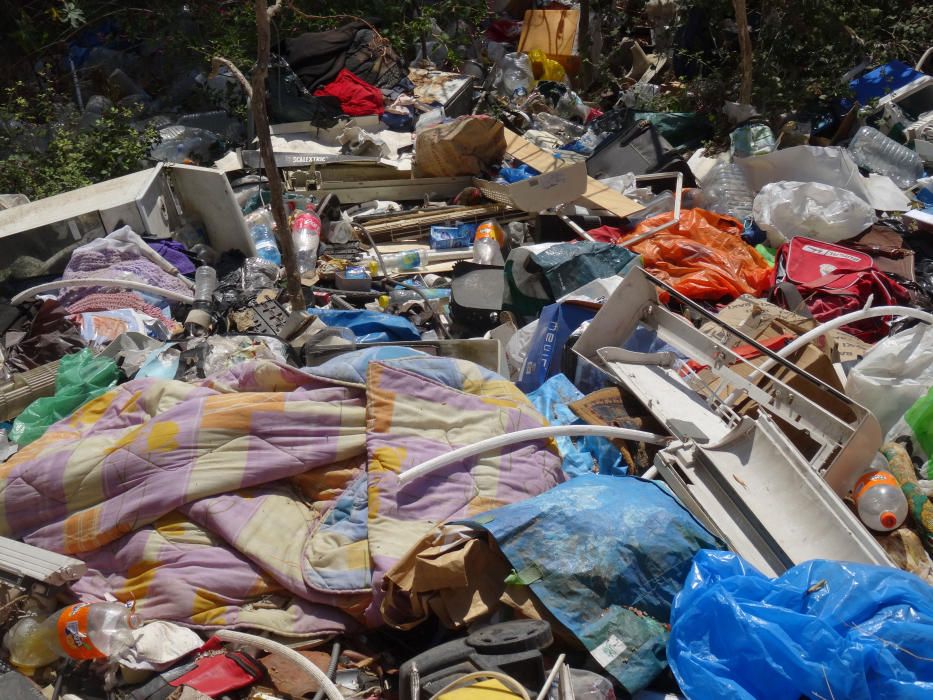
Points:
(829, 214)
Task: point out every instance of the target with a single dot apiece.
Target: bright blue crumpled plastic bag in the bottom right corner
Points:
(823, 629)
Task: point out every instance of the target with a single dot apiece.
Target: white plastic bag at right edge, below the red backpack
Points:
(891, 376)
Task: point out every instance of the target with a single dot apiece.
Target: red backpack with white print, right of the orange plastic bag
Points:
(832, 280)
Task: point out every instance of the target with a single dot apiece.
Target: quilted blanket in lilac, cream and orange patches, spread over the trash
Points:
(267, 497)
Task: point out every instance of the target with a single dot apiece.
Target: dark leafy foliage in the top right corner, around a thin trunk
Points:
(801, 48)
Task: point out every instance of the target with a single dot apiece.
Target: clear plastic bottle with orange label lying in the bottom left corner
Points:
(85, 631)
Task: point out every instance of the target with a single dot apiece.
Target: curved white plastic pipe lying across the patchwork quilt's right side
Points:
(527, 435)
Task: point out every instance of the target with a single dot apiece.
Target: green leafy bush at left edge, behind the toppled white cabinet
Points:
(43, 150)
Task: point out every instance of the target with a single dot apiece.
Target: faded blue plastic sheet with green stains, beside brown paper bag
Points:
(596, 546)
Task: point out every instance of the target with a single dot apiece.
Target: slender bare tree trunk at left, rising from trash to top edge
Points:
(261, 120)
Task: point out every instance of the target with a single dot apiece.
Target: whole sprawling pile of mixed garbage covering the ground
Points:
(571, 407)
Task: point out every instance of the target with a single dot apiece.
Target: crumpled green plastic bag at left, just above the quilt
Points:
(81, 377)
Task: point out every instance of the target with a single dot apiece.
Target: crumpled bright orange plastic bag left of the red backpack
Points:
(703, 257)
